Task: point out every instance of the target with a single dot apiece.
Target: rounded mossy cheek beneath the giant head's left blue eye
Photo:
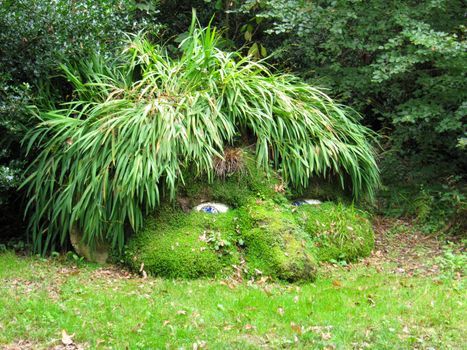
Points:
(175, 244)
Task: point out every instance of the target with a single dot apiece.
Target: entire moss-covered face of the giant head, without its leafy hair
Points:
(262, 234)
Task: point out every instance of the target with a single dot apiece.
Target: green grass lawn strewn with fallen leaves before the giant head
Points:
(380, 303)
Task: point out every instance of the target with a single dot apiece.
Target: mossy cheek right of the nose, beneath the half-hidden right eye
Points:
(338, 232)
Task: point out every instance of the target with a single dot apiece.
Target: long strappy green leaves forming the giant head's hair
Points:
(135, 125)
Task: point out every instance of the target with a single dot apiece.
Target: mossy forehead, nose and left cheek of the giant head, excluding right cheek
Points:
(259, 234)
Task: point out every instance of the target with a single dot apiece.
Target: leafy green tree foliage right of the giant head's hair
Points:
(405, 73)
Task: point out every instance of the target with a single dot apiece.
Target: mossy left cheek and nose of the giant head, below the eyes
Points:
(261, 238)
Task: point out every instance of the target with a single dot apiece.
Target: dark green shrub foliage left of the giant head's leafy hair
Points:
(35, 35)
